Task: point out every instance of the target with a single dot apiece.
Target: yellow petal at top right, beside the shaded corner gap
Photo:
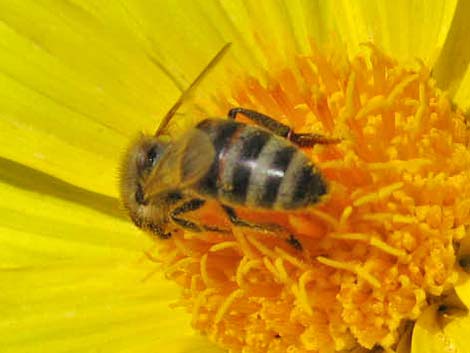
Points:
(406, 30)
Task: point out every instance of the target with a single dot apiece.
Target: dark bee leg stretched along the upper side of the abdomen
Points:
(301, 140)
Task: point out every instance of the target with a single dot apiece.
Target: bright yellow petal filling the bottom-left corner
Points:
(83, 307)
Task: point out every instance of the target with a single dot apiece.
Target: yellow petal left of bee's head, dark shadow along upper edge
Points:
(45, 220)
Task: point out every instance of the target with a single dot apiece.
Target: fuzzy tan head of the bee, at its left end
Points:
(141, 158)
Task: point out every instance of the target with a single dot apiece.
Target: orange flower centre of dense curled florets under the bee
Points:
(375, 249)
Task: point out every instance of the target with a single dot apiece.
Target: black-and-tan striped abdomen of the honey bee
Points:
(258, 169)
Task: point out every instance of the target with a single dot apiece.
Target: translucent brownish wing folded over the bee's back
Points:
(184, 162)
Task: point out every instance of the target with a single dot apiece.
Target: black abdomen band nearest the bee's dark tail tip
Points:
(276, 172)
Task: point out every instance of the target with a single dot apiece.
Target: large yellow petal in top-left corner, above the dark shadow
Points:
(72, 92)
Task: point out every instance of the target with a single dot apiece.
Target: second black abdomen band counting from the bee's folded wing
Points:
(251, 147)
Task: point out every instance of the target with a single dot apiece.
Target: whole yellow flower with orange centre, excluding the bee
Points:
(380, 265)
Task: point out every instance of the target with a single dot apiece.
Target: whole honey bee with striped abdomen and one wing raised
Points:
(258, 166)
